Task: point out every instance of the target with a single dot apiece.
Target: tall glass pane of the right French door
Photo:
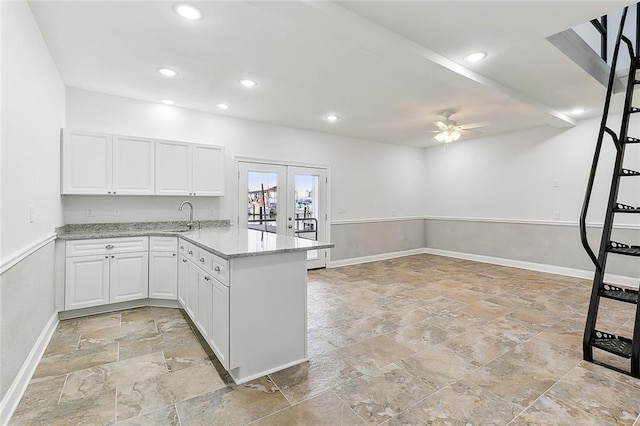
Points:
(306, 209)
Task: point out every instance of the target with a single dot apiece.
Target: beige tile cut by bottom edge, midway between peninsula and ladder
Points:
(463, 403)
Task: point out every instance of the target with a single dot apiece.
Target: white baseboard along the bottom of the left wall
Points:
(16, 390)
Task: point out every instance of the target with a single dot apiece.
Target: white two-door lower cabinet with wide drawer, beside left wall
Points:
(103, 271)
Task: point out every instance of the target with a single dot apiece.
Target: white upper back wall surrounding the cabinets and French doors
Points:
(369, 179)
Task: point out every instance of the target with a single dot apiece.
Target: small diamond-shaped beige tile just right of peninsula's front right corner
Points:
(375, 353)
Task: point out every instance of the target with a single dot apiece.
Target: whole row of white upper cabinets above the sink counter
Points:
(99, 163)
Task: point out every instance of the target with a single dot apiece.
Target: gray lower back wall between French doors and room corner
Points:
(361, 239)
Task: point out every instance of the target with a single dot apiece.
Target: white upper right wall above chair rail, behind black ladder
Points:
(512, 176)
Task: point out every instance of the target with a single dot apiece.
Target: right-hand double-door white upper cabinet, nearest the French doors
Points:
(189, 169)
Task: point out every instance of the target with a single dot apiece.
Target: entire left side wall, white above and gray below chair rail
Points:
(32, 113)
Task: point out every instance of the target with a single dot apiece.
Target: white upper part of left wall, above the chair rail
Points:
(32, 115)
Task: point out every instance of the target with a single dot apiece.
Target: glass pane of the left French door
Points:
(262, 201)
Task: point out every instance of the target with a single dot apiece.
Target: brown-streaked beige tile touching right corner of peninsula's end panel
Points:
(310, 378)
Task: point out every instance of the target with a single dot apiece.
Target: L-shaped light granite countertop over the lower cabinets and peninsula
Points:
(217, 237)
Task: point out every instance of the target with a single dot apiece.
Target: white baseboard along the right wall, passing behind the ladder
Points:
(539, 267)
